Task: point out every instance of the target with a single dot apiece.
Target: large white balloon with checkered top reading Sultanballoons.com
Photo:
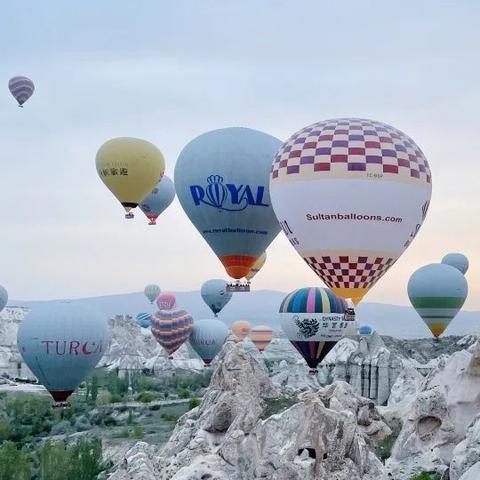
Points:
(350, 195)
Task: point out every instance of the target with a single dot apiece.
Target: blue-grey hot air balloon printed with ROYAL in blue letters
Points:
(221, 179)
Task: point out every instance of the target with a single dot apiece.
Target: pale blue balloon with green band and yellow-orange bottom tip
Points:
(437, 292)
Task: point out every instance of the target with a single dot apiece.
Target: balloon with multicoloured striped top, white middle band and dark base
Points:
(313, 319)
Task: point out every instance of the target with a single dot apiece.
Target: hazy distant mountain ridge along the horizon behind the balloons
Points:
(261, 306)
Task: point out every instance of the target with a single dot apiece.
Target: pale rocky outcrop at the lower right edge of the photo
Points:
(439, 418)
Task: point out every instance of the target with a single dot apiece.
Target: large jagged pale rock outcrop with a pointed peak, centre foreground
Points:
(244, 429)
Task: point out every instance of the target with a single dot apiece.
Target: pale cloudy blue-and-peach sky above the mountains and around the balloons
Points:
(169, 70)
